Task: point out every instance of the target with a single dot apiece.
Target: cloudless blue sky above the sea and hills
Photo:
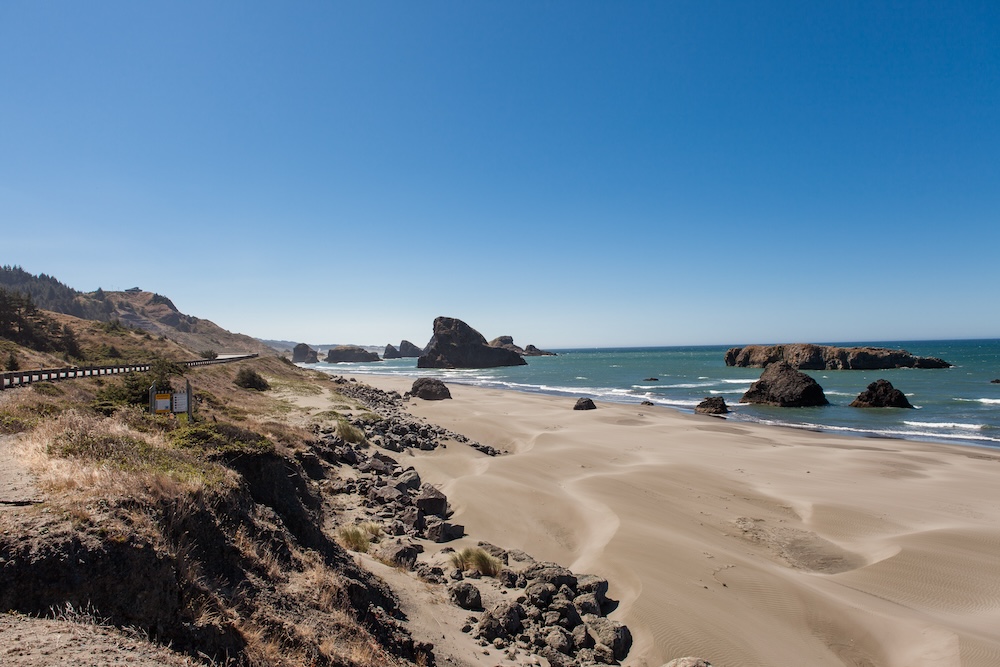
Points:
(569, 173)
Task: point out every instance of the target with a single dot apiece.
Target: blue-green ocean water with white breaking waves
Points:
(958, 405)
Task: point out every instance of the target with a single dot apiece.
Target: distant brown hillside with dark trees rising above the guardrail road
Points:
(134, 308)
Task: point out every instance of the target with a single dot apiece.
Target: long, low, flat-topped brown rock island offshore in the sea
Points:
(825, 357)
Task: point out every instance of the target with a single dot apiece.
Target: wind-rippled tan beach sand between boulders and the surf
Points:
(743, 544)
